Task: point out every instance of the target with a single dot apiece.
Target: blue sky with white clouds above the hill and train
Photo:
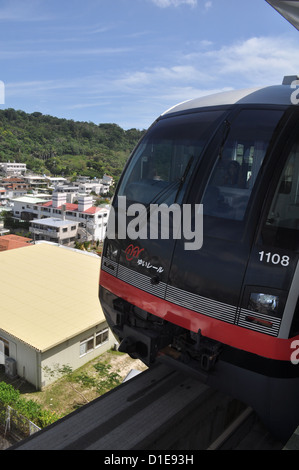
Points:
(127, 61)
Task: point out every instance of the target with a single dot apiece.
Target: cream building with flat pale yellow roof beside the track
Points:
(50, 311)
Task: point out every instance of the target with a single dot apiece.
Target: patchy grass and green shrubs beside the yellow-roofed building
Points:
(71, 390)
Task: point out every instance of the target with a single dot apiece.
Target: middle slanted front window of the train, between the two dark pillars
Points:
(236, 170)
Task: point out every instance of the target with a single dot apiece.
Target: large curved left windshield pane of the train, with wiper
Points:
(165, 157)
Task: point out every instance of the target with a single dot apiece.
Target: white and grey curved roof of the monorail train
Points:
(275, 95)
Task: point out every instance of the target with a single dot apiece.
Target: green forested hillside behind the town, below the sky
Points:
(63, 147)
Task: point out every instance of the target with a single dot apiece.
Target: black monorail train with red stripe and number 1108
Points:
(226, 305)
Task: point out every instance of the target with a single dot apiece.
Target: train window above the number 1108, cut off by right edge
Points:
(282, 224)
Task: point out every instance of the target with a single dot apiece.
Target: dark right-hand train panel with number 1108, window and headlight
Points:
(270, 288)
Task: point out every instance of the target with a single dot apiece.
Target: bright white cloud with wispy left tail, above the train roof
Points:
(253, 62)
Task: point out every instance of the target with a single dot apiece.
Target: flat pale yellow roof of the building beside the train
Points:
(48, 294)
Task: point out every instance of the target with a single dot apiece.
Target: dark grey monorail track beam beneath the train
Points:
(160, 409)
